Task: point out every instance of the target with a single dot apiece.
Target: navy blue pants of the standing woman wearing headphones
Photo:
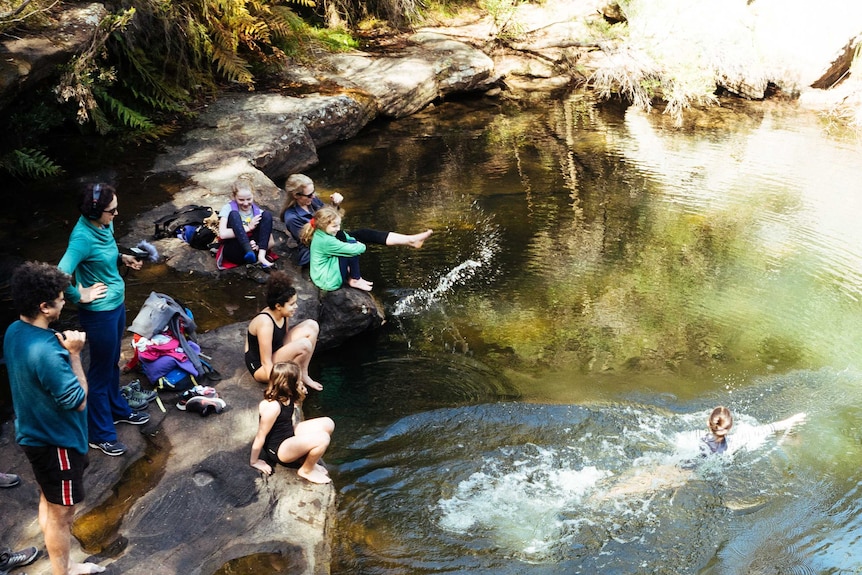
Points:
(105, 403)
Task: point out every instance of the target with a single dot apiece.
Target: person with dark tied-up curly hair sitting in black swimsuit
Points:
(271, 340)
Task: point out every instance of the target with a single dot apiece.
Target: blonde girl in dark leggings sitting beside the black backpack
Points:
(245, 230)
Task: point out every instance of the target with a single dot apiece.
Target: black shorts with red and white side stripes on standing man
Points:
(59, 472)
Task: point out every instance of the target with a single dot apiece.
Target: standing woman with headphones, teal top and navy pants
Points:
(99, 292)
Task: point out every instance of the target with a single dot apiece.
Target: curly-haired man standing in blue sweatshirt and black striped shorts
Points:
(49, 393)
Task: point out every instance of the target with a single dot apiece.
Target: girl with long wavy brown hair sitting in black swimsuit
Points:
(282, 436)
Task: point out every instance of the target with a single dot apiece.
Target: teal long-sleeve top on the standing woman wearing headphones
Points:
(93, 256)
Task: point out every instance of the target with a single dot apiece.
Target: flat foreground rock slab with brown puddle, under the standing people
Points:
(191, 501)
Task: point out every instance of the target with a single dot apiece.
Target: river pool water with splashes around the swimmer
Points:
(596, 283)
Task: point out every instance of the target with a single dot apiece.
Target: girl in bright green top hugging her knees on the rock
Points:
(333, 261)
